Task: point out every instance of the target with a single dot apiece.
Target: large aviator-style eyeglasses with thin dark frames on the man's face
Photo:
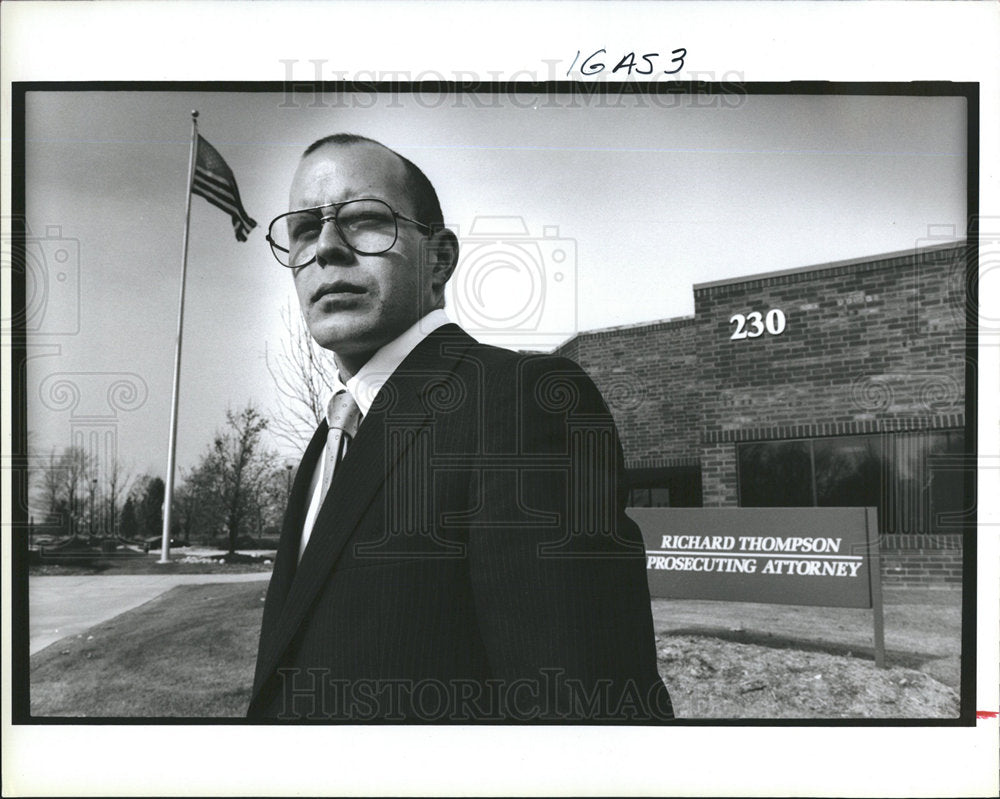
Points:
(367, 226)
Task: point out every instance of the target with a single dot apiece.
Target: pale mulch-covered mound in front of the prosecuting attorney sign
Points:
(713, 678)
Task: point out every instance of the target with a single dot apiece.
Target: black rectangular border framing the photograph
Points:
(20, 683)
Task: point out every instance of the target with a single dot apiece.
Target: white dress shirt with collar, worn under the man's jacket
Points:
(364, 387)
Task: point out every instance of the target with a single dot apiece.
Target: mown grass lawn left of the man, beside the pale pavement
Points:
(190, 652)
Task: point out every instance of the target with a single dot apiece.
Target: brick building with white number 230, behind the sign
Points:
(837, 384)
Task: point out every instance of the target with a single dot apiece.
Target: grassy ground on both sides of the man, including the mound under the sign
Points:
(190, 653)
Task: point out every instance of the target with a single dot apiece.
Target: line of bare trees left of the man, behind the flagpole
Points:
(234, 495)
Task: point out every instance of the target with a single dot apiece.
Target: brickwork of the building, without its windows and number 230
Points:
(868, 346)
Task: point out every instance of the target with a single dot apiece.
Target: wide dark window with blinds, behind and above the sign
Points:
(893, 472)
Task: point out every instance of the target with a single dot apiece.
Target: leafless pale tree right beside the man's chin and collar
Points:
(304, 375)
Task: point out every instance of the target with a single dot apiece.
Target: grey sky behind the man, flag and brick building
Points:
(572, 217)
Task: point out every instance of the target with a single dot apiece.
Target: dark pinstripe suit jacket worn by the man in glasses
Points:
(472, 560)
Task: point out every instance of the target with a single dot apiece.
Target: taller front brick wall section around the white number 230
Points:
(882, 339)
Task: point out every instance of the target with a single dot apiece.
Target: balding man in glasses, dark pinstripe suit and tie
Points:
(471, 559)
